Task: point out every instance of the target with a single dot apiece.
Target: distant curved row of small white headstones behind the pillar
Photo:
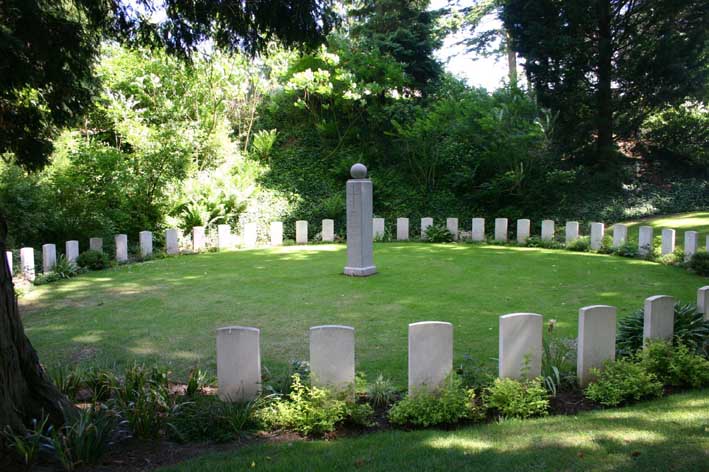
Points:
(226, 239)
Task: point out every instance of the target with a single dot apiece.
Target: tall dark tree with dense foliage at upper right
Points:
(604, 65)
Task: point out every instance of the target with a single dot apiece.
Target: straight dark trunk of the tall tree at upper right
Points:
(604, 143)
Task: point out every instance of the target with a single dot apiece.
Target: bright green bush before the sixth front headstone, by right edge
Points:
(675, 365)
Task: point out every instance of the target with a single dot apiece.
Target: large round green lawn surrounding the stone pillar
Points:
(166, 311)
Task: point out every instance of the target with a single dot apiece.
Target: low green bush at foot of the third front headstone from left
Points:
(449, 404)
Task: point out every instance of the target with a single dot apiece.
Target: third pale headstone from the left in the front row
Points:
(430, 354)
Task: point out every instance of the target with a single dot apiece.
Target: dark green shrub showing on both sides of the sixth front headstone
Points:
(690, 329)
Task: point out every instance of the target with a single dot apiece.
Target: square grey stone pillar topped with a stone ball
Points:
(360, 250)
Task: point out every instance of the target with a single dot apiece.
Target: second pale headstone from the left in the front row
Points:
(332, 357)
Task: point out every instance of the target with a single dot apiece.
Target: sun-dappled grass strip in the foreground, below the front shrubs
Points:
(663, 435)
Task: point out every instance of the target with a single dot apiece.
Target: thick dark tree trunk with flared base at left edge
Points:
(26, 391)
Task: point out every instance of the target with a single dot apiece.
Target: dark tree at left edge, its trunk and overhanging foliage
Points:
(48, 49)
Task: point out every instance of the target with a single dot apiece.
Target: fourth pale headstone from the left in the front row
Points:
(520, 349)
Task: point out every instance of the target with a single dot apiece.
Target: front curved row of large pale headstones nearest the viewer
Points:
(332, 348)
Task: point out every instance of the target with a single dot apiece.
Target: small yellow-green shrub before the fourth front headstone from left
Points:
(512, 398)
